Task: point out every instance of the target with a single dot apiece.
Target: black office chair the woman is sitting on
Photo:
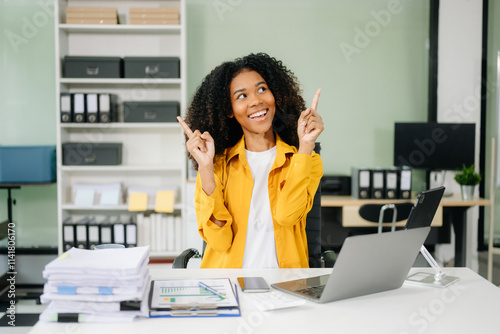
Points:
(313, 232)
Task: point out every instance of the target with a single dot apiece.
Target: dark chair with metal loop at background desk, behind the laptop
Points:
(380, 213)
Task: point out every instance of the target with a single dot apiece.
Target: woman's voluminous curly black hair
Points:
(211, 106)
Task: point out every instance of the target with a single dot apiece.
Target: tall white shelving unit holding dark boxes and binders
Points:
(153, 153)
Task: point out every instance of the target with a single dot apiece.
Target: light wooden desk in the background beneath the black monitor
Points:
(451, 209)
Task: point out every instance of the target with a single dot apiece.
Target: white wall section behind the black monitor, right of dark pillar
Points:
(459, 87)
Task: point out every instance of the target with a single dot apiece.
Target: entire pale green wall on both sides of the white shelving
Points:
(380, 78)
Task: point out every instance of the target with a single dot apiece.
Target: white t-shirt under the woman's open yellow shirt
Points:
(260, 246)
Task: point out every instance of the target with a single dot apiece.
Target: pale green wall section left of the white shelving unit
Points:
(27, 110)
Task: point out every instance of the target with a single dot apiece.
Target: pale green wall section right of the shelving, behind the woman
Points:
(362, 95)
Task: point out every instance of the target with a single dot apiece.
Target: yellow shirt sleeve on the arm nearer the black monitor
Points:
(296, 197)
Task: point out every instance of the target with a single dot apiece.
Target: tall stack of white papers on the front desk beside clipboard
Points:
(104, 285)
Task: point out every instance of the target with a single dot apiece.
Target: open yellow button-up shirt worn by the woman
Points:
(293, 181)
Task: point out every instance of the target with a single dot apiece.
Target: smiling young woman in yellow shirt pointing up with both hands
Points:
(252, 145)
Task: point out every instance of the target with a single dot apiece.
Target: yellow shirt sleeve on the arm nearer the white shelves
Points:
(219, 238)
